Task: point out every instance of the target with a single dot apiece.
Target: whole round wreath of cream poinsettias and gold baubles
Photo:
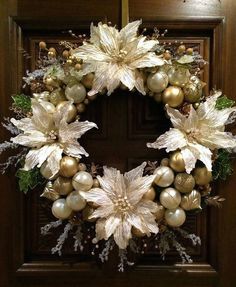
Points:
(150, 200)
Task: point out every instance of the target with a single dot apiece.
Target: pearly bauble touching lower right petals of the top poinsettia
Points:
(157, 82)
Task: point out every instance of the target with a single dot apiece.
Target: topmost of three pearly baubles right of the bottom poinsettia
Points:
(164, 176)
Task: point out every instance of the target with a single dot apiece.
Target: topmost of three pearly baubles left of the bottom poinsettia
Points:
(82, 180)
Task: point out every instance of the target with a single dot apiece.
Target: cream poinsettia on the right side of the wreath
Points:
(198, 133)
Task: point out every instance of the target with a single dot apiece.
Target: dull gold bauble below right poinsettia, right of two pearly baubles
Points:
(184, 182)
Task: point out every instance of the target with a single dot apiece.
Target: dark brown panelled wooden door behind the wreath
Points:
(126, 123)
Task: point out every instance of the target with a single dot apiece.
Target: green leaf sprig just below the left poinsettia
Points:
(29, 179)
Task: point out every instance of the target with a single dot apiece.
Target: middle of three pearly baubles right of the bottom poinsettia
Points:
(170, 198)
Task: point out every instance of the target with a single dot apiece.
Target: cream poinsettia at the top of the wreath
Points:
(115, 57)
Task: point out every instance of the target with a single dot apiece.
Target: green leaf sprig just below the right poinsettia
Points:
(222, 167)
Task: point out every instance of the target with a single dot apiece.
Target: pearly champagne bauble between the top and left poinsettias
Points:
(75, 92)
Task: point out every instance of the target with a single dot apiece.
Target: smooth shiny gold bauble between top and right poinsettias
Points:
(173, 96)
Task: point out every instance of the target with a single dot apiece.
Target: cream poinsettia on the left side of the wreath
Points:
(49, 135)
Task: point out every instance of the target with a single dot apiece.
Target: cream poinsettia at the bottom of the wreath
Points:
(121, 205)
